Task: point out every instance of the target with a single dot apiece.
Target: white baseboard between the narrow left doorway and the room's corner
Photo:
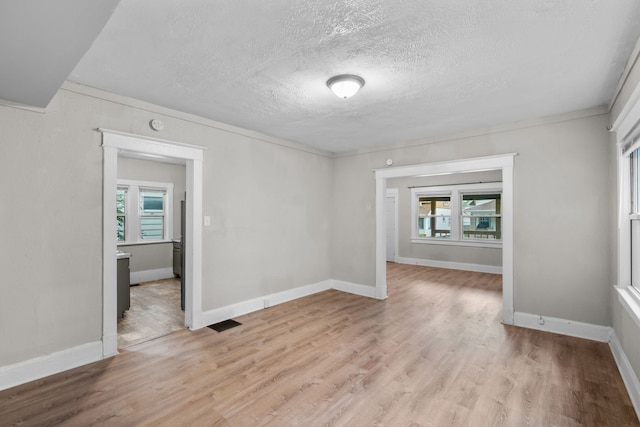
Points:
(227, 312)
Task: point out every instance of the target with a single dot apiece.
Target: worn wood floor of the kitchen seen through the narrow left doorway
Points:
(155, 311)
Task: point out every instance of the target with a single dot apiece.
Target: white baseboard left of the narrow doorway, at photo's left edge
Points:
(43, 366)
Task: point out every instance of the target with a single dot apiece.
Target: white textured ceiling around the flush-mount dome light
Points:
(431, 67)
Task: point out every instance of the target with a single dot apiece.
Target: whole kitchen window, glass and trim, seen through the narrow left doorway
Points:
(143, 211)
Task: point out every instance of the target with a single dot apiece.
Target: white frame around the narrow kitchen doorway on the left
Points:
(113, 144)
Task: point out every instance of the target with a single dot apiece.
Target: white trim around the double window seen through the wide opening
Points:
(456, 193)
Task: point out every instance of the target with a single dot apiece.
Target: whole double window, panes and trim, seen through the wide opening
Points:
(468, 215)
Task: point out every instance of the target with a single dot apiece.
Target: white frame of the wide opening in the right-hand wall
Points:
(503, 163)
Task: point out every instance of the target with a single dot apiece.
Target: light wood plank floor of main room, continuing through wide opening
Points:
(433, 354)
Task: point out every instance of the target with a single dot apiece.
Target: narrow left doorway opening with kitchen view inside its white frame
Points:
(150, 196)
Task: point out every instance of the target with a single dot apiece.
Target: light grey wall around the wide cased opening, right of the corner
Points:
(561, 184)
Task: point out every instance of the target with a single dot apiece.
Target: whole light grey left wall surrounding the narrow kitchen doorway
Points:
(269, 201)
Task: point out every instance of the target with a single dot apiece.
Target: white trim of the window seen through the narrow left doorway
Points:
(133, 214)
